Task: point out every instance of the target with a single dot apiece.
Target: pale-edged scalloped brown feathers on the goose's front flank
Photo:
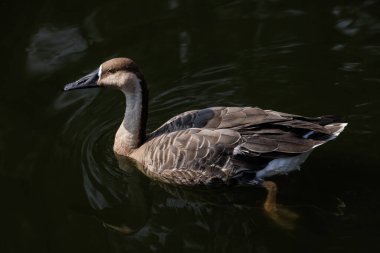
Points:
(193, 149)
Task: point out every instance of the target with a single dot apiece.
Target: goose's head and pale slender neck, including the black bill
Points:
(122, 74)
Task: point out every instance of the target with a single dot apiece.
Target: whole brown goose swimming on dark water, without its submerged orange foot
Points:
(211, 146)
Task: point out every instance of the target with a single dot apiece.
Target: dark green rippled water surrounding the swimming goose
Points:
(60, 184)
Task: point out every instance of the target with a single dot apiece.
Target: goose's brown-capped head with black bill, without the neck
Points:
(118, 73)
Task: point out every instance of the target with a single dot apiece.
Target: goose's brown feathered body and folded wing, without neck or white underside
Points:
(230, 144)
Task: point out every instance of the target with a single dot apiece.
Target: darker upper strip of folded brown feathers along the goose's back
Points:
(241, 118)
